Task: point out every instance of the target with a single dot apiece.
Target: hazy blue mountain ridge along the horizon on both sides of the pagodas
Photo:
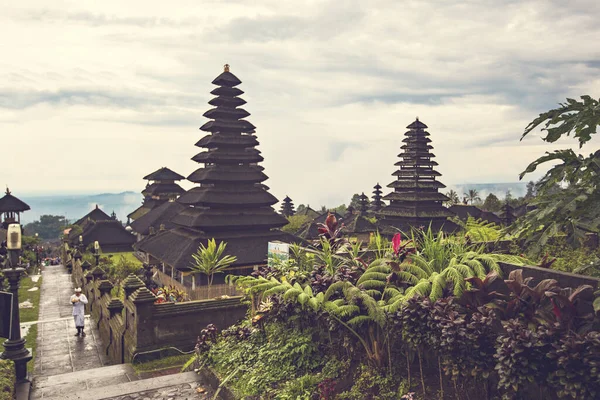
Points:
(76, 206)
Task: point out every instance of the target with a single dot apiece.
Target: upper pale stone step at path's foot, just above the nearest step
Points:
(62, 385)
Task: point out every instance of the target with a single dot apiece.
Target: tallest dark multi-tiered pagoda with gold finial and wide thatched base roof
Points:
(230, 202)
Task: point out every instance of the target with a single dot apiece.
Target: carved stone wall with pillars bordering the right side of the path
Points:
(134, 327)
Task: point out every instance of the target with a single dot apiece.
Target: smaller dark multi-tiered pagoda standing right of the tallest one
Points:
(415, 201)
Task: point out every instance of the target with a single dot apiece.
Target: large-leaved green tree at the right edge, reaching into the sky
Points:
(575, 209)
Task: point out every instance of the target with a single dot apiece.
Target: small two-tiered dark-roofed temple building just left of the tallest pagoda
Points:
(161, 188)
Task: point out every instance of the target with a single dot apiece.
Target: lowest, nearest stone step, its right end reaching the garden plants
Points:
(109, 390)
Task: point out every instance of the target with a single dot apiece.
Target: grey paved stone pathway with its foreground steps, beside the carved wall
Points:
(75, 368)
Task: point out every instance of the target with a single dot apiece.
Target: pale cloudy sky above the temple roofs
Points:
(96, 94)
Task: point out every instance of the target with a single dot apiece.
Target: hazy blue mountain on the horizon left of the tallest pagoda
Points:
(74, 207)
